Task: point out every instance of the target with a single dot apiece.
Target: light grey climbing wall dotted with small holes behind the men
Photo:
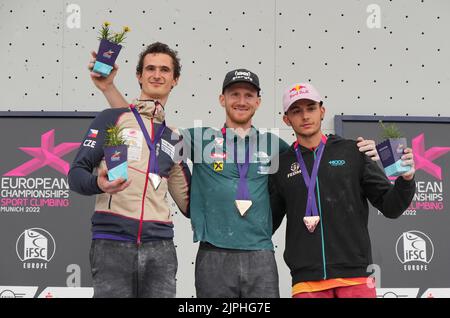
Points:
(366, 57)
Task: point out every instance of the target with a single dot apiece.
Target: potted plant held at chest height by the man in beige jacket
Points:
(116, 153)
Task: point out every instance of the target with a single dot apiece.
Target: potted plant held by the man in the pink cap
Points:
(391, 150)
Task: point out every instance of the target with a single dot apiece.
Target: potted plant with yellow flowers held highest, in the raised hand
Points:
(109, 49)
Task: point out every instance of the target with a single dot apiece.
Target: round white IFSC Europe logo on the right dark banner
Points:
(415, 250)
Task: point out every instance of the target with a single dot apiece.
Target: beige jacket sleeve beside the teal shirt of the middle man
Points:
(179, 184)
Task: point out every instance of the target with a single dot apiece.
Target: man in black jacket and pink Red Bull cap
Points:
(322, 185)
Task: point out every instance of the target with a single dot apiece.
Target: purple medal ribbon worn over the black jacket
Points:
(311, 205)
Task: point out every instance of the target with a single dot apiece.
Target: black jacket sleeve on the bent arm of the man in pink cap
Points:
(391, 200)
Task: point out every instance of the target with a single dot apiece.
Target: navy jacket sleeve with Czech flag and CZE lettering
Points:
(89, 156)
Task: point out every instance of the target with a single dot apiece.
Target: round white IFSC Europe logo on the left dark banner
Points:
(35, 247)
